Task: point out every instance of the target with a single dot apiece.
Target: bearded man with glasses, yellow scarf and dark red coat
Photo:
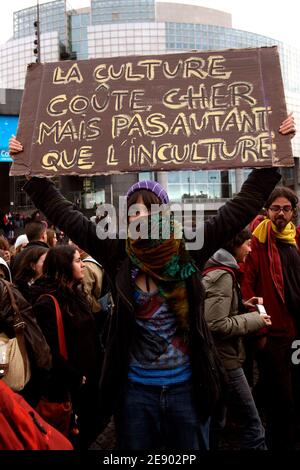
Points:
(272, 271)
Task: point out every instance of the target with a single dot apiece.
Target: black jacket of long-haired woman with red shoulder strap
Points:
(81, 337)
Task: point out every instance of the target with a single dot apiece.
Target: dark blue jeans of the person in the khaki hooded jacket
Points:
(252, 435)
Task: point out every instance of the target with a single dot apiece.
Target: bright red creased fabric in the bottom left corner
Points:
(22, 428)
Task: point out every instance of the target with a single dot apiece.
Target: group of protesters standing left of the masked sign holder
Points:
(45, 272)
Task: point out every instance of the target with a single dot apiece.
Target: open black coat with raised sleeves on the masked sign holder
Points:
(231, 218)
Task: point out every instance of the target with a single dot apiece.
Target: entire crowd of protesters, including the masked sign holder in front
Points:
(172, 363)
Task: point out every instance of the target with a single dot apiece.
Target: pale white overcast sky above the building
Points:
(279, 20)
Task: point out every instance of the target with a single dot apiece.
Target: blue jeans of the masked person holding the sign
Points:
(153, 418)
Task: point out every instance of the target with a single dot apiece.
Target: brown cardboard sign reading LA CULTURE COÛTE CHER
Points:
(198, 110)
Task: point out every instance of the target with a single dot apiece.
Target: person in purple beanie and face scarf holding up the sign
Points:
(162, 379)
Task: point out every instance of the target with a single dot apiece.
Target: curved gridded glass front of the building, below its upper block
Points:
(124, 38)
